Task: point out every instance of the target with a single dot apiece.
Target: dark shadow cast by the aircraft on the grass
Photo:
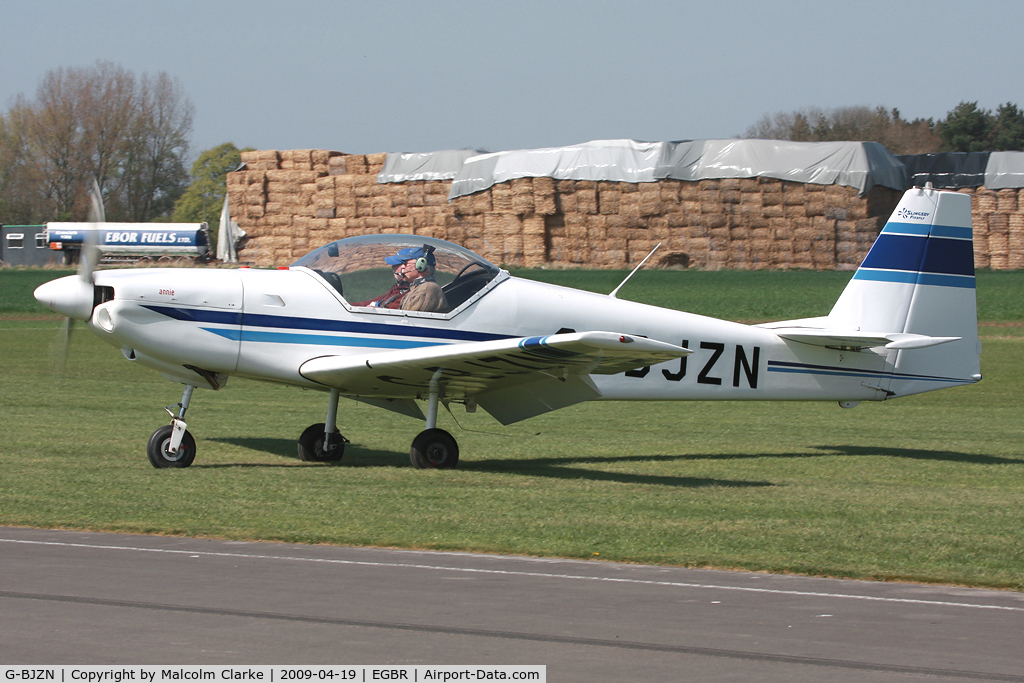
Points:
(562, 468)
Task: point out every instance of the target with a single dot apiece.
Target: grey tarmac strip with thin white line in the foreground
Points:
(81, 599)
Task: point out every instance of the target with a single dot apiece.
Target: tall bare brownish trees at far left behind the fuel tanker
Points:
(132, 135)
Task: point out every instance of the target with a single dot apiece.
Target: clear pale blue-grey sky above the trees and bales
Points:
(368, 77)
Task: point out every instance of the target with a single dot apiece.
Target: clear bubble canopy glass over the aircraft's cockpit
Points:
(357, 269)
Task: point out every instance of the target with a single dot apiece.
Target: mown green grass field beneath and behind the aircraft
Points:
(928, 488)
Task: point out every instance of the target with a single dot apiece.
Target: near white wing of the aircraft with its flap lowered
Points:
(511, 378)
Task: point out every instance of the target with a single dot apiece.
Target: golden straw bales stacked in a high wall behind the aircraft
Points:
(292, 202)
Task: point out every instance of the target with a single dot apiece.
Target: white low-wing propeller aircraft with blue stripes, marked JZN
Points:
(906, 324)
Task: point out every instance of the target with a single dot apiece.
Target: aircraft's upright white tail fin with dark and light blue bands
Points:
(917, 288)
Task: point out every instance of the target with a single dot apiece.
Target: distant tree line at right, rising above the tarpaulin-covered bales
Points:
(966, 129)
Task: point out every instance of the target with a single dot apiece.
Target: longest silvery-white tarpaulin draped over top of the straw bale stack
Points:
(861, 165)
